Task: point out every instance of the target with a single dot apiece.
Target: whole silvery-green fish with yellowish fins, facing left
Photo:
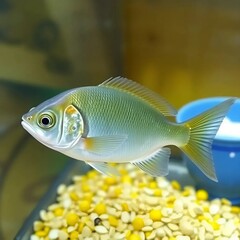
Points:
(121, 121)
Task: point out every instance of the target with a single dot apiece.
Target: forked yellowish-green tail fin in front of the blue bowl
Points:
(203, 129)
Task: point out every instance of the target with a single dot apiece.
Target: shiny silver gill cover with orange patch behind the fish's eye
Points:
(72, 127)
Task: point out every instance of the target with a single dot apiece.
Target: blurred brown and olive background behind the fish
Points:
(184, 50)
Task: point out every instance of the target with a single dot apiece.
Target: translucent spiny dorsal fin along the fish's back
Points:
(141, 92)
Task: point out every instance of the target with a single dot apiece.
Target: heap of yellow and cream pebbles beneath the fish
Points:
(135, 206)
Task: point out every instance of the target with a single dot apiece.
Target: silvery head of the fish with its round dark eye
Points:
(56, 124)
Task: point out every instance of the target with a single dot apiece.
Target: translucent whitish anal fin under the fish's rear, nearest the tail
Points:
(156, 164)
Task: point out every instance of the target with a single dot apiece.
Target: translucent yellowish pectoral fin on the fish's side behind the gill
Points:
(104, 145)
